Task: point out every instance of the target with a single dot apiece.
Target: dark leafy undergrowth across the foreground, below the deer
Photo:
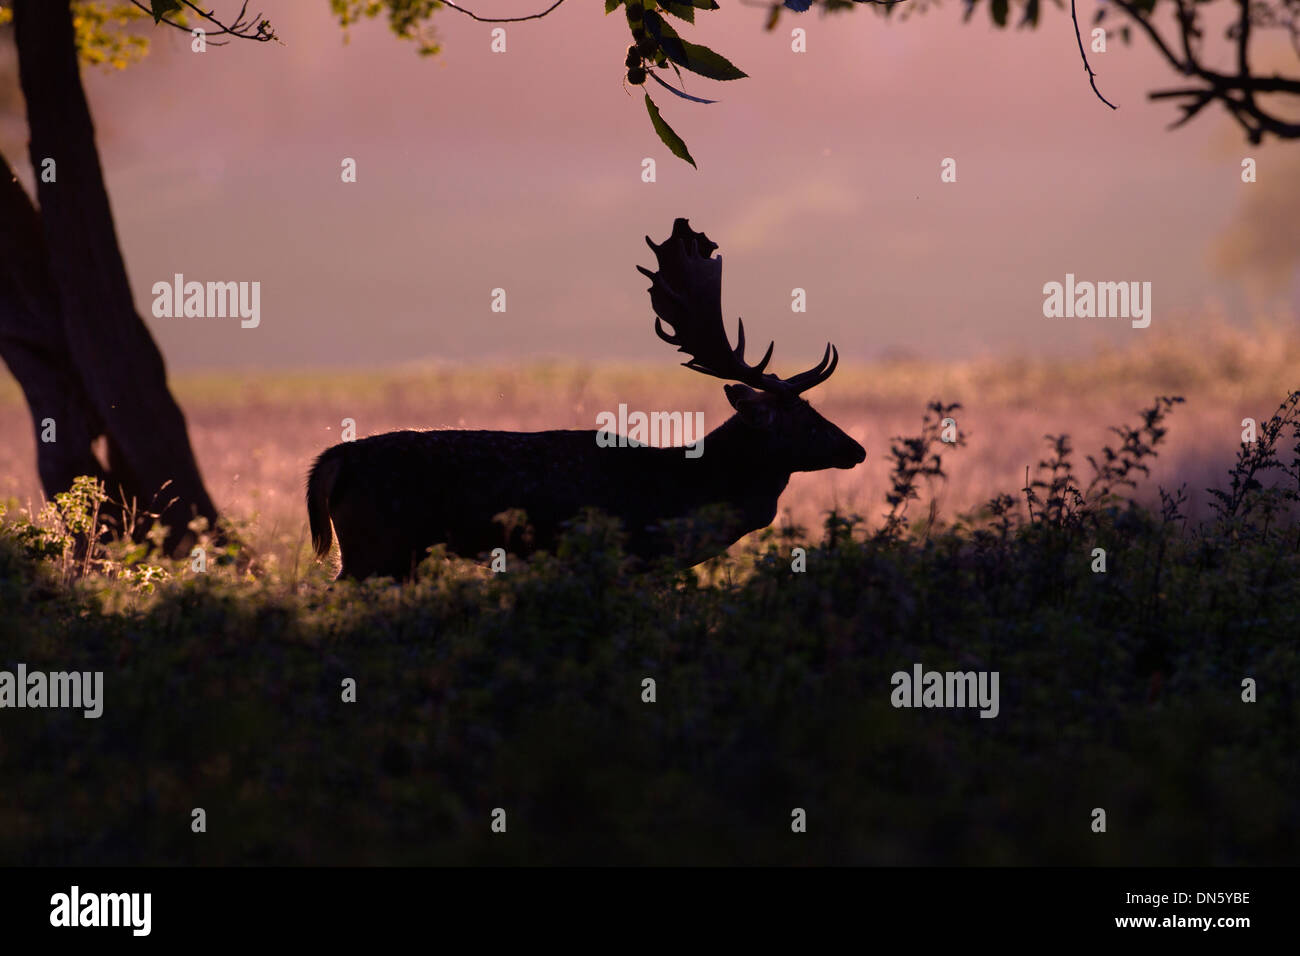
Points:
(525, 691)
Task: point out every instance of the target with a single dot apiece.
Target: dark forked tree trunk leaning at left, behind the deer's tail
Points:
(68, 326)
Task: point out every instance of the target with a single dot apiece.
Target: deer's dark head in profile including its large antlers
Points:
(687, 295)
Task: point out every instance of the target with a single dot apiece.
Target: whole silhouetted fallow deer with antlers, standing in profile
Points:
(393, 496)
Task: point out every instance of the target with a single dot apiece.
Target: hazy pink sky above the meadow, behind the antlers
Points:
(522, 171)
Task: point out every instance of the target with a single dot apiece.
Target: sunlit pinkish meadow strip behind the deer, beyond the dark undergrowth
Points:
(257, 435)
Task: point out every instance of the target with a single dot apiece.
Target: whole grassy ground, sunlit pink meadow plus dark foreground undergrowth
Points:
(525, 691)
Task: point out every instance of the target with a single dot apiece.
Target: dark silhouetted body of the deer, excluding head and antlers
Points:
(393, 496)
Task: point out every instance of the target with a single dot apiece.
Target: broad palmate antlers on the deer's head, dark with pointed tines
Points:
(687, 293)
